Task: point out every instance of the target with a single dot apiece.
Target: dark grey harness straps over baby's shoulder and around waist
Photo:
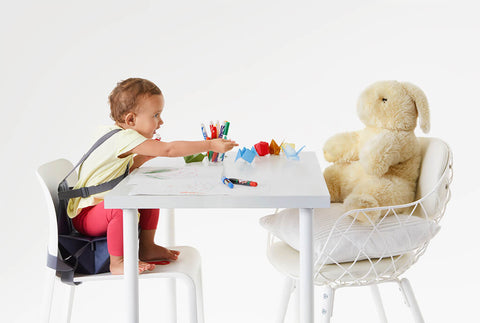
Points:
(90, 190)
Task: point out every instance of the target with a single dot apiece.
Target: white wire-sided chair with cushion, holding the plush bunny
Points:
(351, 254)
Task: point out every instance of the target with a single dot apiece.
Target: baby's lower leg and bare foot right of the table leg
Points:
(148, 250)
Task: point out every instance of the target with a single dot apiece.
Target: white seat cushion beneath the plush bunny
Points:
(351, 240)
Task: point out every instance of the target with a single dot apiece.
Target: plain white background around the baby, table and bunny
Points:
(276, 69)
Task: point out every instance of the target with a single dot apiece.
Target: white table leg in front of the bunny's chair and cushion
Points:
(306, 265)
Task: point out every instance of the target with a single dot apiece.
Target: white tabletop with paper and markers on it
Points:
(171, 183)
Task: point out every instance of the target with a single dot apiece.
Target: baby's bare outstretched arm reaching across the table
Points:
(154, 148)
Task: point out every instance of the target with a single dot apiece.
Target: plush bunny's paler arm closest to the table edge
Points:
(342, 147)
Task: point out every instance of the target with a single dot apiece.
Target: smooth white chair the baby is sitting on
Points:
(186, 268)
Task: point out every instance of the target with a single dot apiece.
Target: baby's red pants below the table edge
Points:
(97, 221)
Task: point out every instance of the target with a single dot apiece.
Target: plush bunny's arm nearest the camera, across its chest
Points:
(384, 150)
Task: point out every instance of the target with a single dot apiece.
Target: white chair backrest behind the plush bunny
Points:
(435, 176)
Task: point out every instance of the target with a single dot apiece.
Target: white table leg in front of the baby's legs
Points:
(130, 254)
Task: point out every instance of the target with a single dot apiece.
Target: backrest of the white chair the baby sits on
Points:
(49, 176)
